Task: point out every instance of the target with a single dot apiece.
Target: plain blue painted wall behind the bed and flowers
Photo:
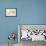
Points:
(28, 12)
